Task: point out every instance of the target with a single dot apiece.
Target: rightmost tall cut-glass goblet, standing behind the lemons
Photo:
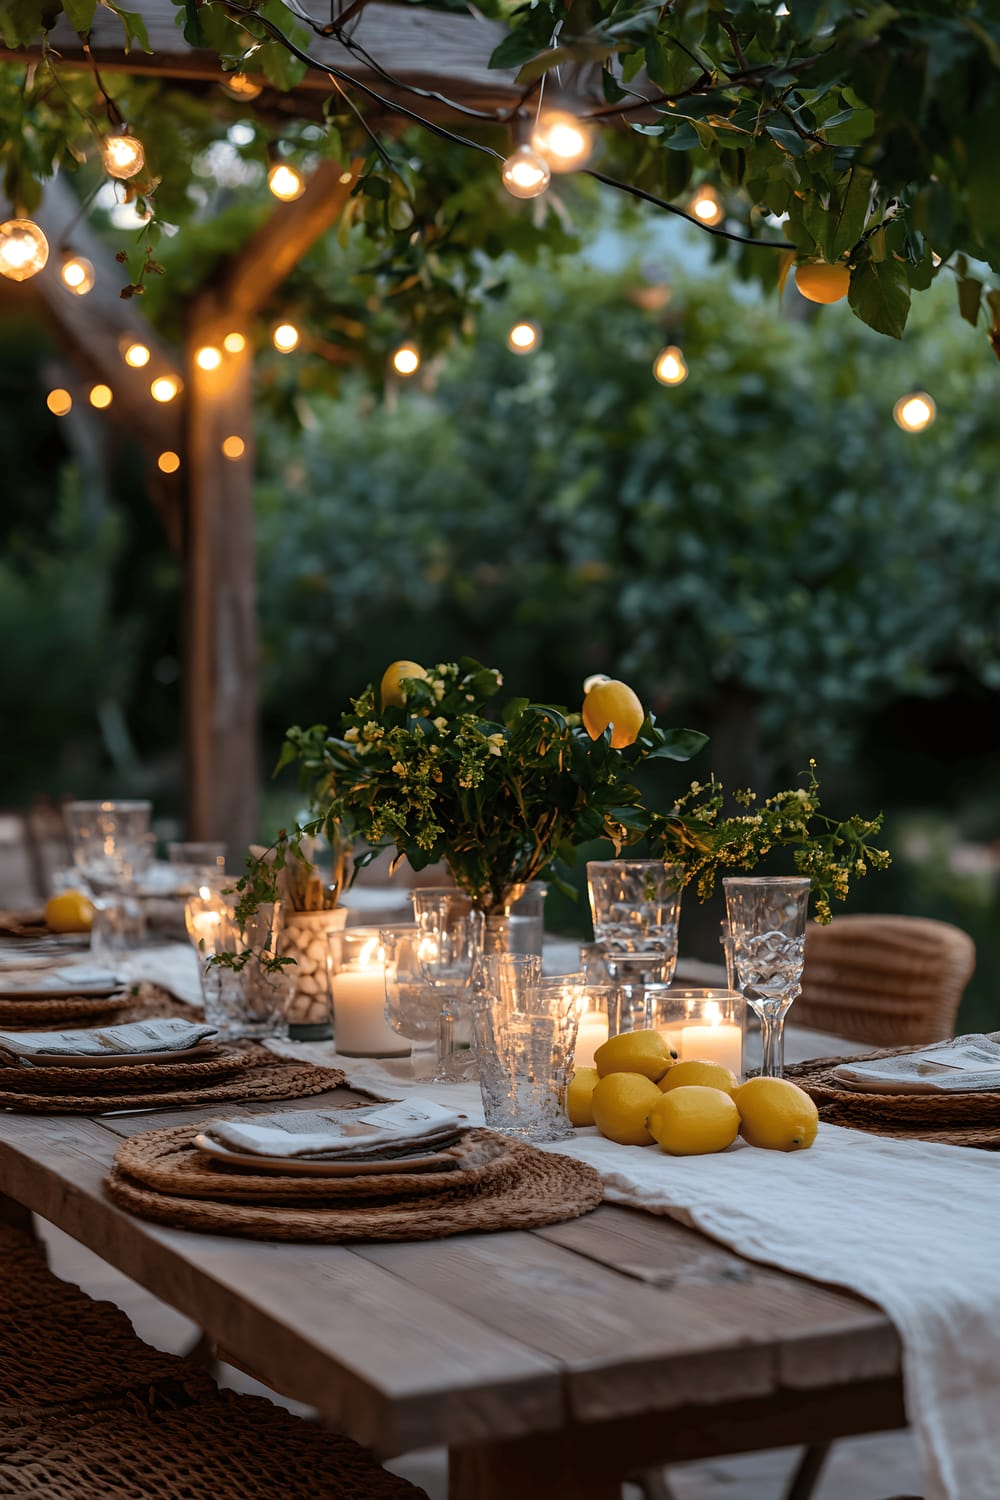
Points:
(767, 925)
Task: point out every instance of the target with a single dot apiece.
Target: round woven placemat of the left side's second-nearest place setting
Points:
(266, 1078)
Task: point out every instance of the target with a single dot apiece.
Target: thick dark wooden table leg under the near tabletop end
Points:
(528, 1469)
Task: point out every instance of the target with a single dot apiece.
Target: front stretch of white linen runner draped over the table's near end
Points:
(912, 1226)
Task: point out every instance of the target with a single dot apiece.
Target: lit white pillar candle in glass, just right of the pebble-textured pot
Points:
(358, 988)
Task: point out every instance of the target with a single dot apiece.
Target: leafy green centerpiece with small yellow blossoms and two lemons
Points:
(430, 767)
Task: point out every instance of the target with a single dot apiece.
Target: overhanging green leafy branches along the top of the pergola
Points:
(849, 133)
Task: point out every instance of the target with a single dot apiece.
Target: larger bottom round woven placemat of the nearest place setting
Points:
(537, 1187)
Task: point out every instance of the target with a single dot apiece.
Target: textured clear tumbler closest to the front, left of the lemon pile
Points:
(527, 1031)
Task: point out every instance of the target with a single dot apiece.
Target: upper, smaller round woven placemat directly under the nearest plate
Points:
(169, 1162)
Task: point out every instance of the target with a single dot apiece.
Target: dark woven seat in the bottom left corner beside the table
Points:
(89, 1412)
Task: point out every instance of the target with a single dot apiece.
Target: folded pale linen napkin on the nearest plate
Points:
(343, 1135)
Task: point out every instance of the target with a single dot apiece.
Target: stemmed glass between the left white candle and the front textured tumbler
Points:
(449, 955)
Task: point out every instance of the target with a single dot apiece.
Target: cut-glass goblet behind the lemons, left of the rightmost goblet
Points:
(636, 908)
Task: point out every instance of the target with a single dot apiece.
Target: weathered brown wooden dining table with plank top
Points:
(549, 1363)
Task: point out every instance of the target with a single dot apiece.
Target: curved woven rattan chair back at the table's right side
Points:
(893, 982)
